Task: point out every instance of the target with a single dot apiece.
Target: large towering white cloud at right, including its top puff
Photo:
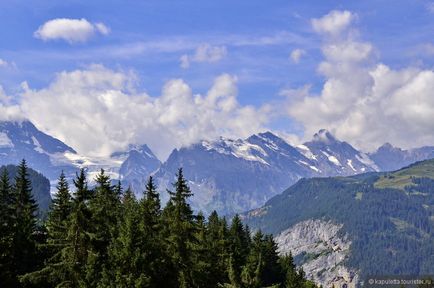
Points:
(362, 100)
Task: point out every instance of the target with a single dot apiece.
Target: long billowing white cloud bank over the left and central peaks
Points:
(98, 111)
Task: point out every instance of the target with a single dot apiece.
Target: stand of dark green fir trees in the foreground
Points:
(103, 238)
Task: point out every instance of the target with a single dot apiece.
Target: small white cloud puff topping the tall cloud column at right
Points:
(334, 22)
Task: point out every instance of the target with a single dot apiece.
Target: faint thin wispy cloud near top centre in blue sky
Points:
(204, 53)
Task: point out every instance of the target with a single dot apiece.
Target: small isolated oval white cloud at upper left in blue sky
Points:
(70, 30)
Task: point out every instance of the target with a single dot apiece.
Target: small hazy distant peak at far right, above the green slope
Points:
(389, 158)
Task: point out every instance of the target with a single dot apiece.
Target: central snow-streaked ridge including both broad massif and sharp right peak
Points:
(235, 175)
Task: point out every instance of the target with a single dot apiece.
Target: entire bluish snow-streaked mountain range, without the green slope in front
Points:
(227, 175)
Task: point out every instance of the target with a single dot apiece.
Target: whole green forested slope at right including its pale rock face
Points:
(342, 229)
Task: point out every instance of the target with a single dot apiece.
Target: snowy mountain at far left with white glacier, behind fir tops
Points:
(49, 156)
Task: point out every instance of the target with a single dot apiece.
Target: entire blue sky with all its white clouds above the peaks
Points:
(100, 75)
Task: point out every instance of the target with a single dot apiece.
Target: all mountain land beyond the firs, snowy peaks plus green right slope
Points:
(342, 219)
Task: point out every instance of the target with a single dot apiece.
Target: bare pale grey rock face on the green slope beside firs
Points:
(321, 251)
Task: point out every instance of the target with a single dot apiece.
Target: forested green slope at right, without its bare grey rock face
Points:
(388, 217)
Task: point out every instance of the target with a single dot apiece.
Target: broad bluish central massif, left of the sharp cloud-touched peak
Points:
(234, 175)
